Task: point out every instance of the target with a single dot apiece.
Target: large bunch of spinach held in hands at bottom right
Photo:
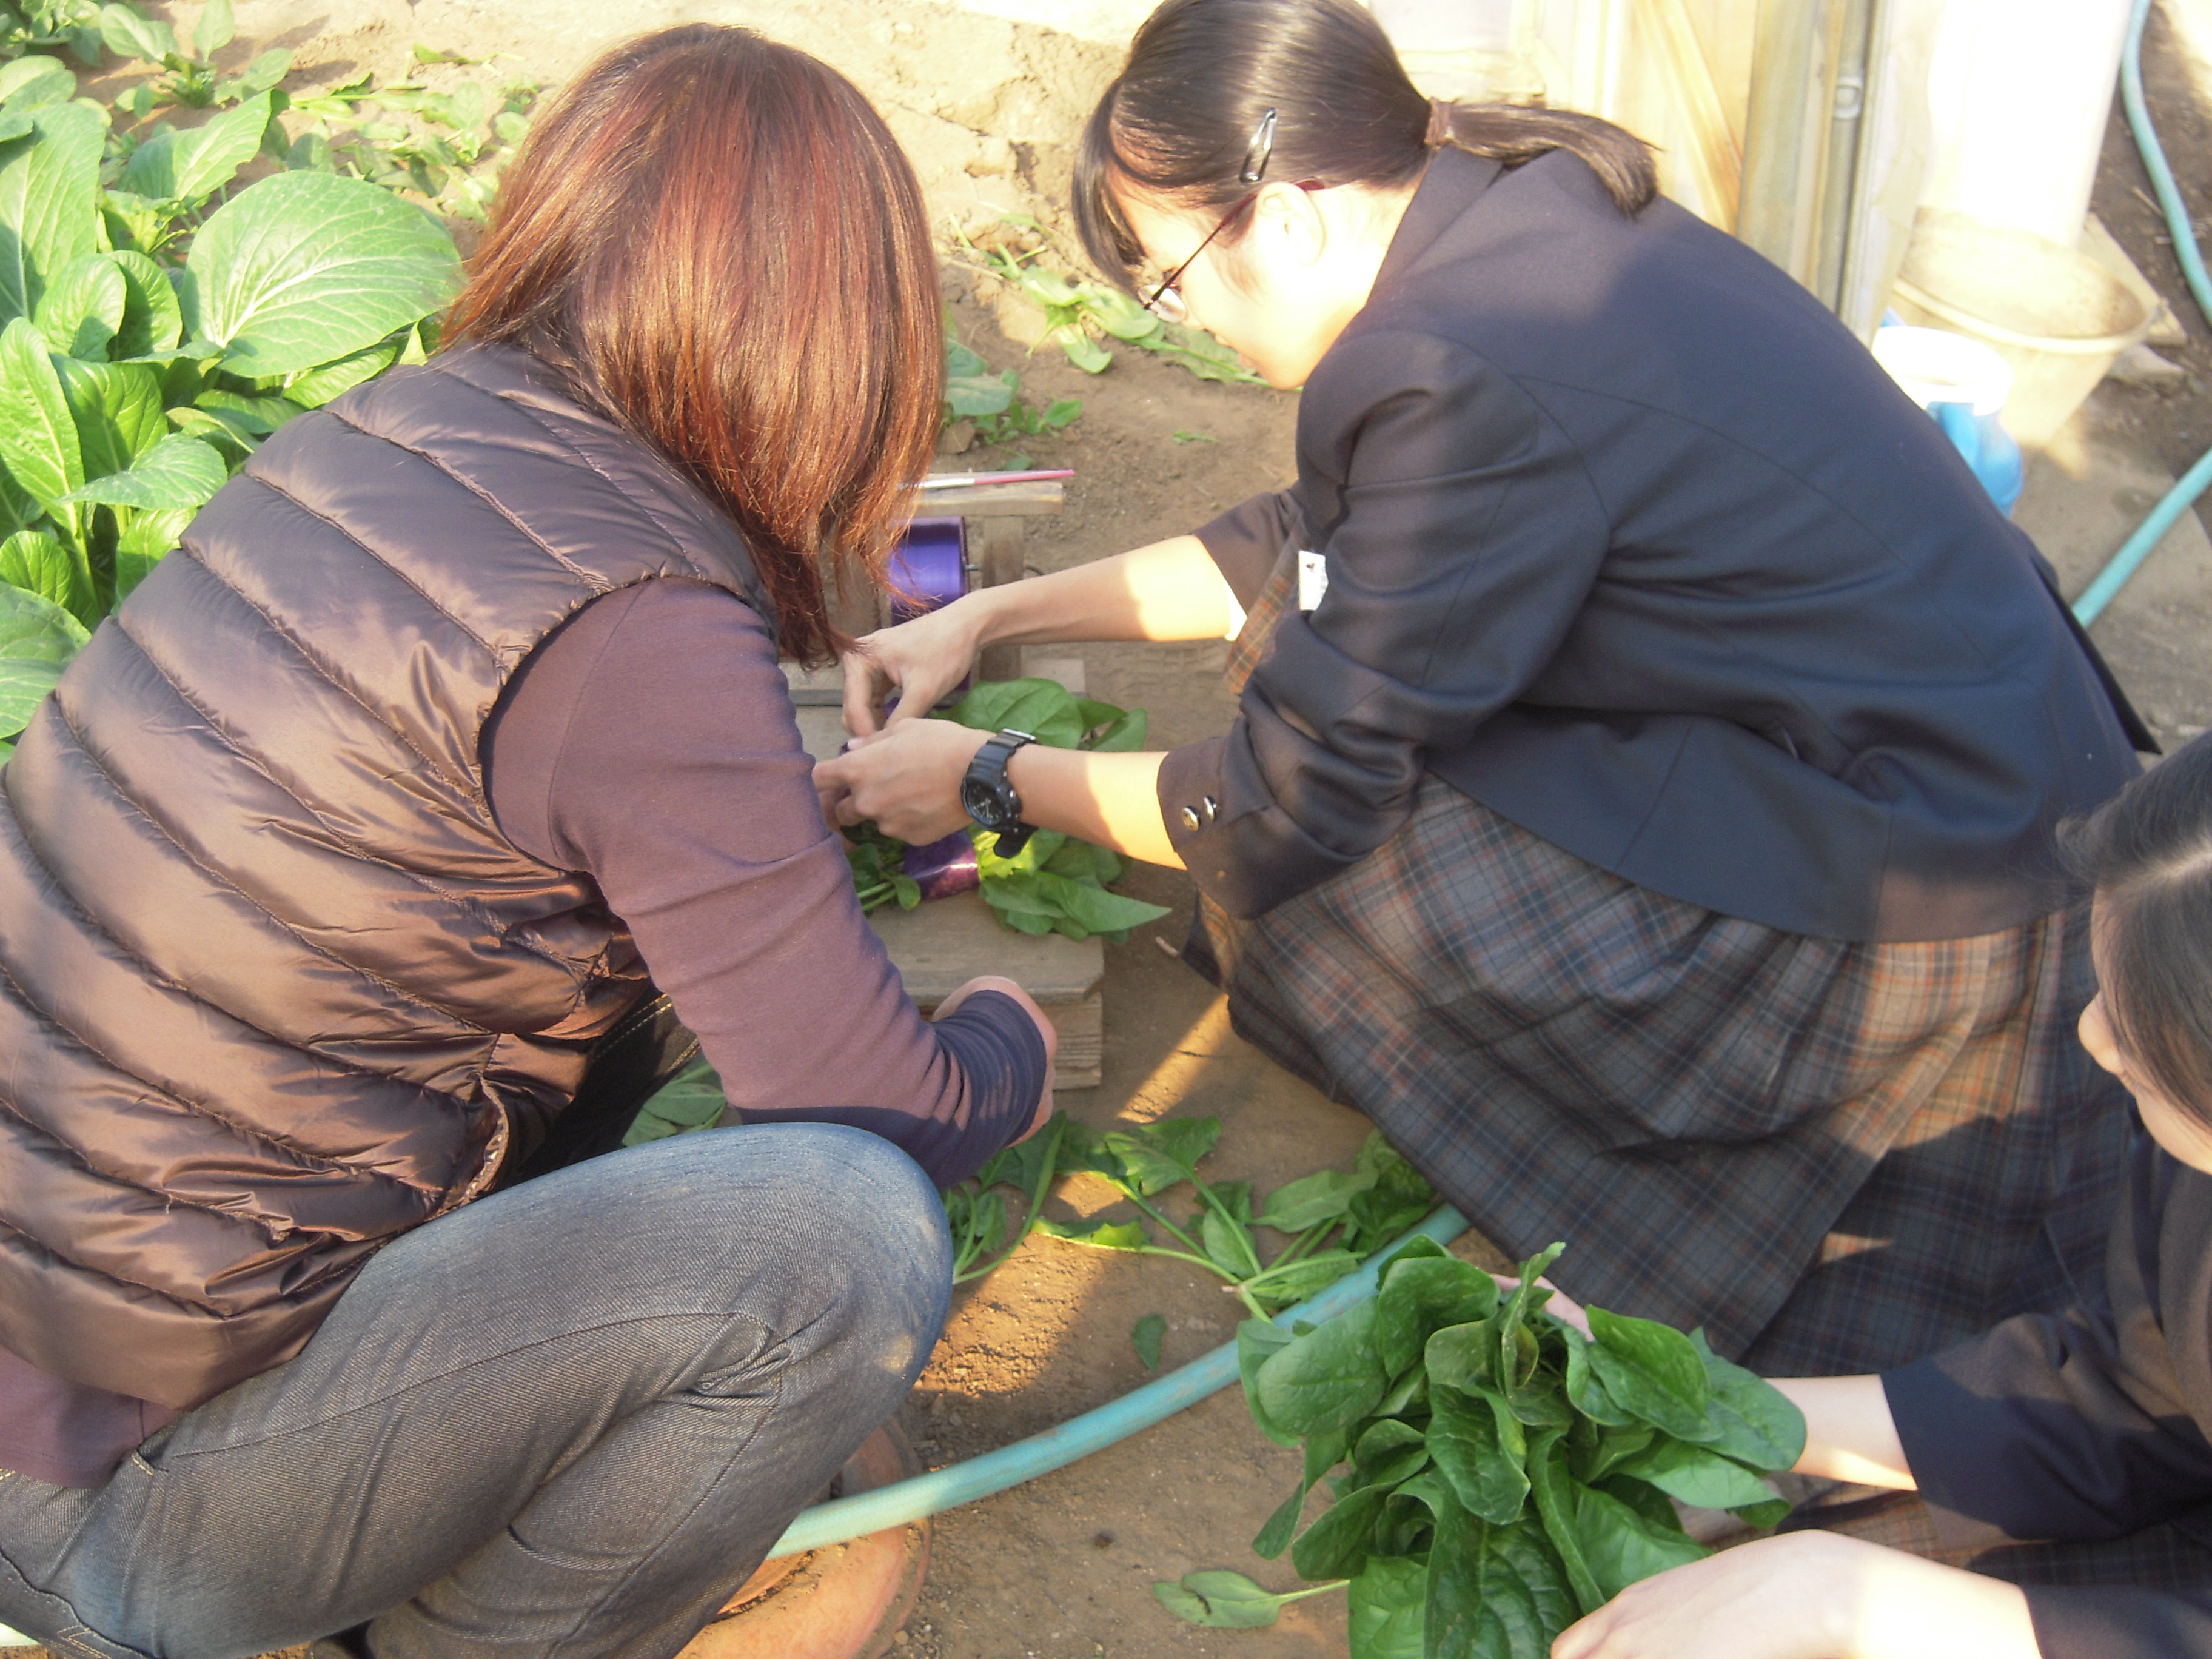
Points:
(1505, 1474)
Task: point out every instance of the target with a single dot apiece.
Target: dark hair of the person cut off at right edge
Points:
(2149, 855)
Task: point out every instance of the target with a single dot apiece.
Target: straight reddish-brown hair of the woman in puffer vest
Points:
(720, 244)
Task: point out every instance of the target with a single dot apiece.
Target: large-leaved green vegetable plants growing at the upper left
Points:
(136, 371)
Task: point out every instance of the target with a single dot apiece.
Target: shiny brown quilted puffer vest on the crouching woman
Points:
(275, 983)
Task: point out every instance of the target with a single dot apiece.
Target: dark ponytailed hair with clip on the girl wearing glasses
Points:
(1202, 76)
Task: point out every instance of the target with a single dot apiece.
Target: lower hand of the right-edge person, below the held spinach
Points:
(1808, 1596)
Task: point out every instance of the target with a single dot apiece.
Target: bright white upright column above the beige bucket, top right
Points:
(2021, 94)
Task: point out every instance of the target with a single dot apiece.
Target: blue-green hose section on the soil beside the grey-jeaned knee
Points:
(966, 1483)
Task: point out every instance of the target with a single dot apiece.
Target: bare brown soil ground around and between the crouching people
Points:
(1063, 1569)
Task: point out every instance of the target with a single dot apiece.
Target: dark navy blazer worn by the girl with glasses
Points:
(1634, 543)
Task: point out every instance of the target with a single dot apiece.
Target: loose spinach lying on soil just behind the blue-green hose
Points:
(1333, 1218)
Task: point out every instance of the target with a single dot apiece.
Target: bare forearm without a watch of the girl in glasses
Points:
(1162, 592)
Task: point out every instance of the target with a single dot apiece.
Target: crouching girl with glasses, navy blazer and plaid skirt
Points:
(1649, 735)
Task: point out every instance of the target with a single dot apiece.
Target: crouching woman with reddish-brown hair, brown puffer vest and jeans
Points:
(382, 855)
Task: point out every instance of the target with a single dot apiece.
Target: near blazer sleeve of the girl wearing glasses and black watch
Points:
(1463, 539)
